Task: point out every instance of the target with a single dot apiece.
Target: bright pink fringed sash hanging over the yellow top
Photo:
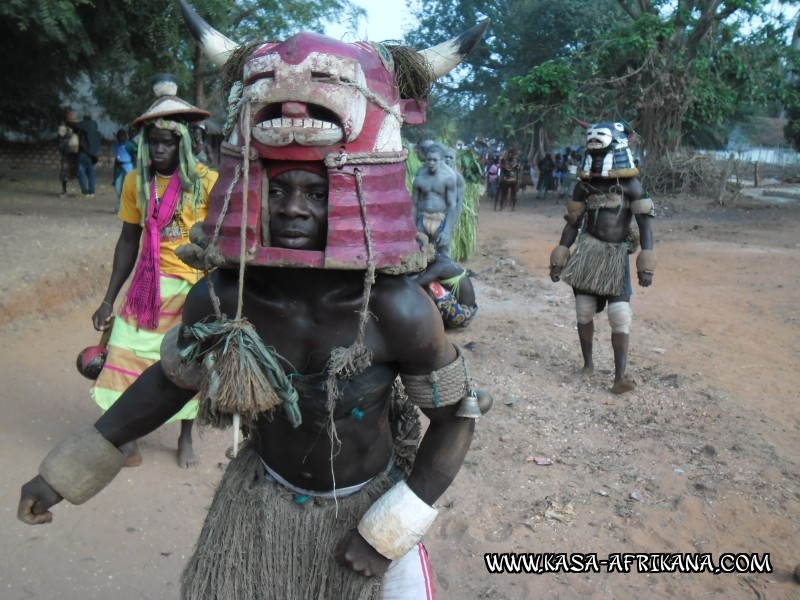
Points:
(144, 294)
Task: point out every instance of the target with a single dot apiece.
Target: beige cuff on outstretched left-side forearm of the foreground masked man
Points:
(82, 465)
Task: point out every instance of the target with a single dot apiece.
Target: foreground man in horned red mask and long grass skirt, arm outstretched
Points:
(302, 334)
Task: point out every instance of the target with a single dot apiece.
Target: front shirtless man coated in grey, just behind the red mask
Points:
(435, 201)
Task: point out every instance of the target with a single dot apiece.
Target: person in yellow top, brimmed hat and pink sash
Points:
(161, 199)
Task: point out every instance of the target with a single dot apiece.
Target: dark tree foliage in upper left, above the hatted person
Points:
(51, 48)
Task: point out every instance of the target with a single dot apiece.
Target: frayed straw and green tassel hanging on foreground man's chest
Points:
(243, 376)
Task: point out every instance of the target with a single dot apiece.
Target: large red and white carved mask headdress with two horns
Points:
(313, 98)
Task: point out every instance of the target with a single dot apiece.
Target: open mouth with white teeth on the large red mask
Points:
(285, 123)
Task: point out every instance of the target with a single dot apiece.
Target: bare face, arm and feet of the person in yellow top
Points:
(163, 147)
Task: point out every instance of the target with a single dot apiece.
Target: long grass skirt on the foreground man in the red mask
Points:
(258, 544)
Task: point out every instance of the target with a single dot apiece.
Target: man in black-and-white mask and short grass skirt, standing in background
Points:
(604, 203)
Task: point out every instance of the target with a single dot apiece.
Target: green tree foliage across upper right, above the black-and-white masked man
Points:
(678, 71)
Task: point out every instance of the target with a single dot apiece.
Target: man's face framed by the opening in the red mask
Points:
(298, 211)
